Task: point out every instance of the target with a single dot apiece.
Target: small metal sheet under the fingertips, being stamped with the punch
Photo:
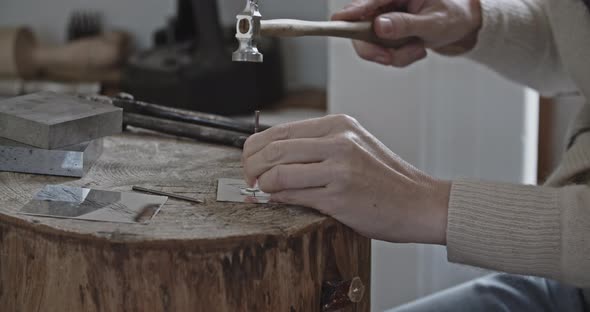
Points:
(237, 191)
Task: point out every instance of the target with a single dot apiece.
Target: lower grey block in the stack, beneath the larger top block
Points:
(72, 161)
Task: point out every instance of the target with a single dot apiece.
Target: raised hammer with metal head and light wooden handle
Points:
(250, 27)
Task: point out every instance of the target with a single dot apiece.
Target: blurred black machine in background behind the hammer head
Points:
(191, 66)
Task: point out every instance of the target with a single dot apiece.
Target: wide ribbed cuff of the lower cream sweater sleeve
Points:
(504, 227)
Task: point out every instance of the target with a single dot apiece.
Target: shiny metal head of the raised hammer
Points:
(247, 32)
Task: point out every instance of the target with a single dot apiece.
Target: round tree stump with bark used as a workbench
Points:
(190, 257)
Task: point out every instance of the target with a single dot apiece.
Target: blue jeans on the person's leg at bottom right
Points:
(502, 292)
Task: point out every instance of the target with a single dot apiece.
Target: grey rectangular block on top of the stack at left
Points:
(50, 120)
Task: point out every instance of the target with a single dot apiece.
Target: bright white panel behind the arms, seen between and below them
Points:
(449, 117)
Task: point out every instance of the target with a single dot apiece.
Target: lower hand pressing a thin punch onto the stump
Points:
(334, 165)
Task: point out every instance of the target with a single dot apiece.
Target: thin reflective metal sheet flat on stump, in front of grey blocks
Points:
(60, 201)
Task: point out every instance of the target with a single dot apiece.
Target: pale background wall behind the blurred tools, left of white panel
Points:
(305, 58)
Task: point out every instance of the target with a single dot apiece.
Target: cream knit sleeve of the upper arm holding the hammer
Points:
(516, 41)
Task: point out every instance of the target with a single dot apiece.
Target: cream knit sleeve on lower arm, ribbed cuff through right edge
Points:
(530, 230)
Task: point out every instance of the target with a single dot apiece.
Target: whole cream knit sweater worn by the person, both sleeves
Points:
(532, 230)
